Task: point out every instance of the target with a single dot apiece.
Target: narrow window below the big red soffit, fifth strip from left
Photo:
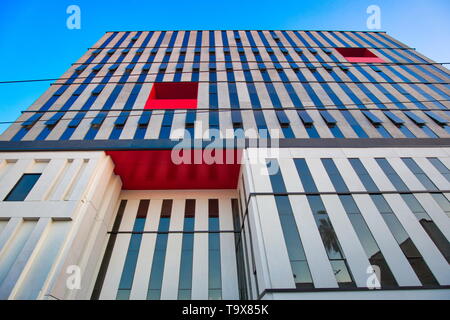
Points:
(214, 261)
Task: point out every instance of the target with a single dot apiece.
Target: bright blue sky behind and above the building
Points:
(35, 42)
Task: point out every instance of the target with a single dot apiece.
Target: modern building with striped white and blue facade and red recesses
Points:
(313, 165)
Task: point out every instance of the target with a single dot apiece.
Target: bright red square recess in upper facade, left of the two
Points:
(173, 95)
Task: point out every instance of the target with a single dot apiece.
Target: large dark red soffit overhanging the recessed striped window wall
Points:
(154, 170)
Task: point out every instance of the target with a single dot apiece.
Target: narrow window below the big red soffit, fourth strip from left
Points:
(185, 281)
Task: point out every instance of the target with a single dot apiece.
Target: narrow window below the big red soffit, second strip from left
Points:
(129, 268)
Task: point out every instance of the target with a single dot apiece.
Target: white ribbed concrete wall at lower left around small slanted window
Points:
(59, 223)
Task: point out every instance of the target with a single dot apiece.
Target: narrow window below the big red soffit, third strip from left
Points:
(159, 256)
